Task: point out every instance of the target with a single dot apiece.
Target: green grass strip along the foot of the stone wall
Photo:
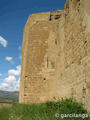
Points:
(44, 111)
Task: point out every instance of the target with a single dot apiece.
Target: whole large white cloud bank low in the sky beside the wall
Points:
(11, 83)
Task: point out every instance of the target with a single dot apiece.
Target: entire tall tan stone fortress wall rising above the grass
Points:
(56, 55)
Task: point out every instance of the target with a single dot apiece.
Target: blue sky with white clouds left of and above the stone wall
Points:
(13, 16)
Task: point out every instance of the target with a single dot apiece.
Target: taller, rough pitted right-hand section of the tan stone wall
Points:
(74, 78)
